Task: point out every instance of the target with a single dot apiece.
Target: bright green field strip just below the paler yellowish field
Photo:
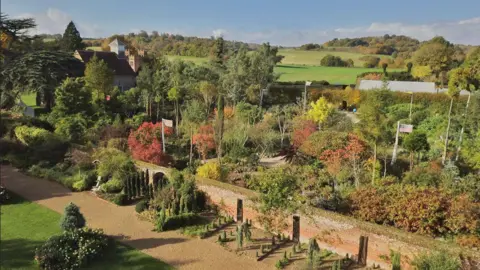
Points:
(334, 75)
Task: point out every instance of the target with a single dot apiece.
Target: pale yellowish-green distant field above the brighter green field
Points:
(313, 58)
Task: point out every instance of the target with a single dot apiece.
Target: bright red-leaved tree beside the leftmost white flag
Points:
(145, 143)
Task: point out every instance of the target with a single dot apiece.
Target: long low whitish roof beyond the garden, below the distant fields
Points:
(399, 86)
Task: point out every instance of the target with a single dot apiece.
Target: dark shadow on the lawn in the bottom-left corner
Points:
(18, 253)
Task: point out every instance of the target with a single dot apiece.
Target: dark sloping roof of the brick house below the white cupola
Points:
(119, 66)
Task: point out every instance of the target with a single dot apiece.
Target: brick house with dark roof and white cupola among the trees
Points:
(124, 64)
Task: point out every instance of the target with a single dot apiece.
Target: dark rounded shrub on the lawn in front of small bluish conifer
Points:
(71, 250)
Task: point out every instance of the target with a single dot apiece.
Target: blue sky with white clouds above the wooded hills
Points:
(280, 22)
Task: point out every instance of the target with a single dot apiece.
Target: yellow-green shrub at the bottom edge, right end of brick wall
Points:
(437, 261)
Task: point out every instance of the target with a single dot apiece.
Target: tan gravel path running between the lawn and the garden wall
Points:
(121, 222)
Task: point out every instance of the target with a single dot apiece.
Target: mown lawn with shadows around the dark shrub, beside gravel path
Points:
(26, 225)
